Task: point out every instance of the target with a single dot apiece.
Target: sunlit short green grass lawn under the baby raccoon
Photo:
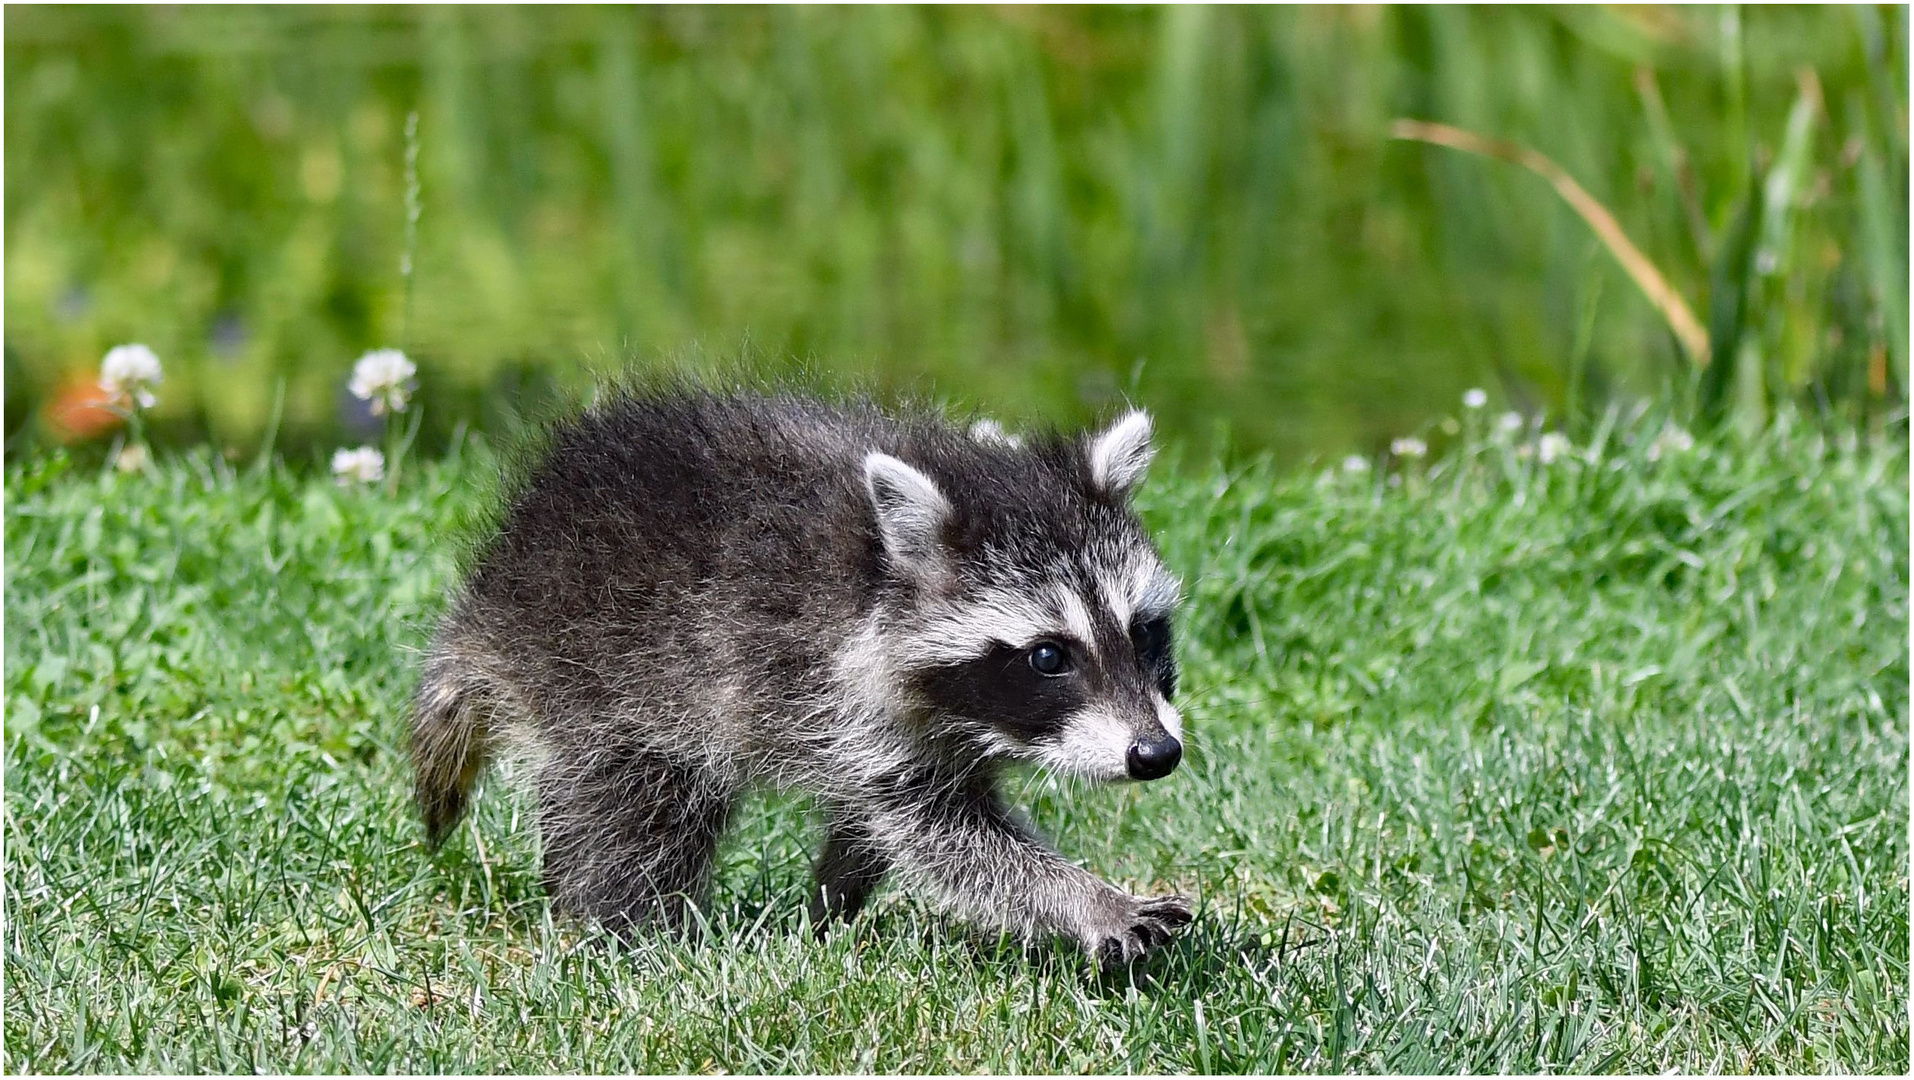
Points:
(1496, 767)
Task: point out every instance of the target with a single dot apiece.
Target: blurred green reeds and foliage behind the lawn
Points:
(1029, 210)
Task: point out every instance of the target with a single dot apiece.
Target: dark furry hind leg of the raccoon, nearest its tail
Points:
(629, 836)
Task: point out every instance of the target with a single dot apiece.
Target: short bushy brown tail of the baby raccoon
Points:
(449, 742)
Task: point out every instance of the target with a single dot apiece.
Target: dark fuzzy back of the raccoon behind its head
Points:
(661, 528)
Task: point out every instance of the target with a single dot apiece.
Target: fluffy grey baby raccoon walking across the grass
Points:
(698, 593)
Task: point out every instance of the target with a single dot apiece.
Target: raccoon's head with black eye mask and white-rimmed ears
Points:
(1031, 614)
